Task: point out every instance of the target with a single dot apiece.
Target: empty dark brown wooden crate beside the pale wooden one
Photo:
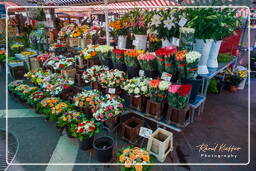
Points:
(130, 129)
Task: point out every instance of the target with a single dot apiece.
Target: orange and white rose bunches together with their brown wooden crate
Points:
(156, 103)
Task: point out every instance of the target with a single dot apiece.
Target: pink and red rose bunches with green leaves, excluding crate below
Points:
(178, 95)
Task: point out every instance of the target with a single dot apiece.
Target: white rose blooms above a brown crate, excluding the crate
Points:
(137, 86)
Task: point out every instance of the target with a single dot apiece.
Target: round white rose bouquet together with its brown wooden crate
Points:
(137, 90)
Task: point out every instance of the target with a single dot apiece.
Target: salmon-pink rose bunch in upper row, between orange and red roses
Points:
(148, 63)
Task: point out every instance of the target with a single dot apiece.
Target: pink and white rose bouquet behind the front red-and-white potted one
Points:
(109, 108)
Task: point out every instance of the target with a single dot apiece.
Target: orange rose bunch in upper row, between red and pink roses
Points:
(131, 61)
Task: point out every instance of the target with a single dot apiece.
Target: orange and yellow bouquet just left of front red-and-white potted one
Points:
(70, 118)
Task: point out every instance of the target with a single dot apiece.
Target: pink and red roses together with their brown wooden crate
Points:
(178, 109)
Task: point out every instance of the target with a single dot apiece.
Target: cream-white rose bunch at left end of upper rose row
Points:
(103, 52)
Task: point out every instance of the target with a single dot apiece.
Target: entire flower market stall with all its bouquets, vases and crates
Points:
(157, 71)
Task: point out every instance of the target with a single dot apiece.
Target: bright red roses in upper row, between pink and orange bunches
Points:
(165, 60)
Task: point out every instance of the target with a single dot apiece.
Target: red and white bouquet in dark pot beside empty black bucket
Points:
(85, 132)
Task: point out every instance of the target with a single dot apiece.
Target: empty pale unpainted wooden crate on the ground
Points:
(160, 144)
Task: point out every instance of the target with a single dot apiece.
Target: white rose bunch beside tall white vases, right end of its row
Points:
(192, 60)
